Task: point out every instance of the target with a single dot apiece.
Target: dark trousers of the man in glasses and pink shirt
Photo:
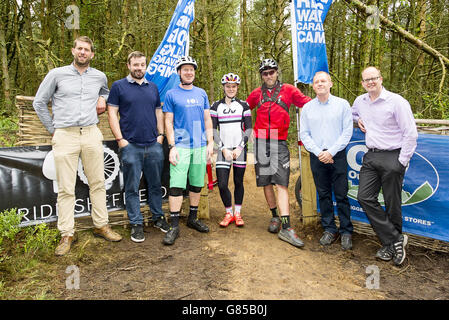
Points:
(382, 170)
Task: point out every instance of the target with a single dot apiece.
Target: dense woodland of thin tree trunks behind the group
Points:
(232, 36)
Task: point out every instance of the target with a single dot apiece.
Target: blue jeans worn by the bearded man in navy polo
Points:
(150, 160)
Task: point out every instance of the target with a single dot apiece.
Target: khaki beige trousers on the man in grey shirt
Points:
(69, 144)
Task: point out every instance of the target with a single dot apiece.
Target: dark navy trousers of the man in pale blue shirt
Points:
(333, 177)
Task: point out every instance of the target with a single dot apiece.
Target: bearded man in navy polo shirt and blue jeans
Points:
(139, 133)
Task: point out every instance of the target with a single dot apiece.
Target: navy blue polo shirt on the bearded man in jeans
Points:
(137, 108)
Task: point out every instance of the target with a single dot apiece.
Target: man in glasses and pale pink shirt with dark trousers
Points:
(391, 135)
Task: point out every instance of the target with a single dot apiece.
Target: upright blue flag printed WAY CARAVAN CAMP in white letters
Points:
(308, 41)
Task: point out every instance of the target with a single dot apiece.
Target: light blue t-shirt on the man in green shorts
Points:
(188, 108)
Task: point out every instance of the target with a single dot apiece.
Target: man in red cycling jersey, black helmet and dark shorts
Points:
(272, 157)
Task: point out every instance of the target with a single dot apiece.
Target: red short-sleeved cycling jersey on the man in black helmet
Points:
(272, 120)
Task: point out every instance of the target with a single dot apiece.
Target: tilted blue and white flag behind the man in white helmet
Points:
(161, 69)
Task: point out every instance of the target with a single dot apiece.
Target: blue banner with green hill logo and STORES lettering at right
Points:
(425, 209)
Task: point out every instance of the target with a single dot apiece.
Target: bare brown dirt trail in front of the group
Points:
(245, 263)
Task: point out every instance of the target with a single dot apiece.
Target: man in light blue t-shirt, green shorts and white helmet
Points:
(190, 138)
